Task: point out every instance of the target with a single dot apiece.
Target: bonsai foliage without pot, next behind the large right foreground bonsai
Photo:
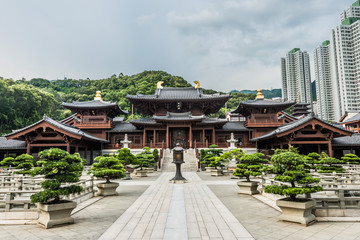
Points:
(250, 165)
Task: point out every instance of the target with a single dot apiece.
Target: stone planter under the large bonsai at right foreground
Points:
(296, 211)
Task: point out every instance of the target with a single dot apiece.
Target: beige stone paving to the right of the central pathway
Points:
(262, 222)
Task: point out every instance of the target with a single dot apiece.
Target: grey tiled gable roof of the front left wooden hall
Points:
(62, 126)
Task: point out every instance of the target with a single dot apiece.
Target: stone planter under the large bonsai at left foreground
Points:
(51, 215)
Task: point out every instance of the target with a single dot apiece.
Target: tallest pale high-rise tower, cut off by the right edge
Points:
(345, 62)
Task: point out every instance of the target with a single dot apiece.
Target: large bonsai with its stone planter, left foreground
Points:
(58, 167)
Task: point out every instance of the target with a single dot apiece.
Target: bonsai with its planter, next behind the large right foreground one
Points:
(250, 165)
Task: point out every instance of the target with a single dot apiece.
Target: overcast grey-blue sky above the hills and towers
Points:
(224, 44)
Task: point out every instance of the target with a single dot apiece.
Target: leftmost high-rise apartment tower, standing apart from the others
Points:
(296, 79)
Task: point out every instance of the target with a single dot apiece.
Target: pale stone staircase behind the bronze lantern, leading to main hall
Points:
(190, 164)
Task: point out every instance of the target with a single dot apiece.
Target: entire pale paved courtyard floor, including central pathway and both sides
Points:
(204, 208)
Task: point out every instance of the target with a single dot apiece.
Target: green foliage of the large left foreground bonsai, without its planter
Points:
(59, 167)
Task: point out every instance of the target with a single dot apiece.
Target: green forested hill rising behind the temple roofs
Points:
(25, 102)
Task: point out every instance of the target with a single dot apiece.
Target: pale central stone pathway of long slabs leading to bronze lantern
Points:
(159, 214)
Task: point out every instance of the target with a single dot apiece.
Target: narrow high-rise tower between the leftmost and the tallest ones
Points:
(324, 95)
